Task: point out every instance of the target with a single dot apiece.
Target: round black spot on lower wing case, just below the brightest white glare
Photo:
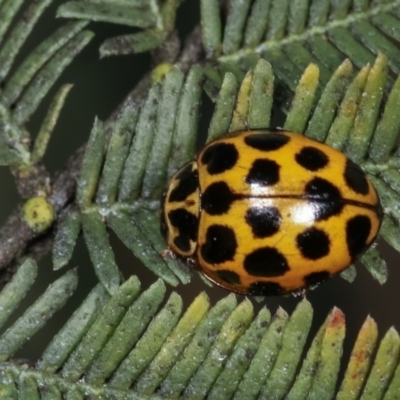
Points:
(313, 243)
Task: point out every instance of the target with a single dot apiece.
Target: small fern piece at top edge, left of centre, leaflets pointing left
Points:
(157, 19)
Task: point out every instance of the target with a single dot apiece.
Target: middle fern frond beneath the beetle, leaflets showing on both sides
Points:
(124, 194)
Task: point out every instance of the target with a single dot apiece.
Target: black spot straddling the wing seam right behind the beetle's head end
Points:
(217, 198)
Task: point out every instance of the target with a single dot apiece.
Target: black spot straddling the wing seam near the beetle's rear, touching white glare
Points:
(328, 200)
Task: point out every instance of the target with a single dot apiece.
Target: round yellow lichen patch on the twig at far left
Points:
(38, 214)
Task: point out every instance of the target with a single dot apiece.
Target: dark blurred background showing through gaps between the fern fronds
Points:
(99, 87)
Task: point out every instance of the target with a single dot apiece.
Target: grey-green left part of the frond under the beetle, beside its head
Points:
(125, 193)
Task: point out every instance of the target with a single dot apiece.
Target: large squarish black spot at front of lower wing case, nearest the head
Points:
(220, 244)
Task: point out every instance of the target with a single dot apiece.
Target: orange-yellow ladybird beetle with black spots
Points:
(268, 212)
